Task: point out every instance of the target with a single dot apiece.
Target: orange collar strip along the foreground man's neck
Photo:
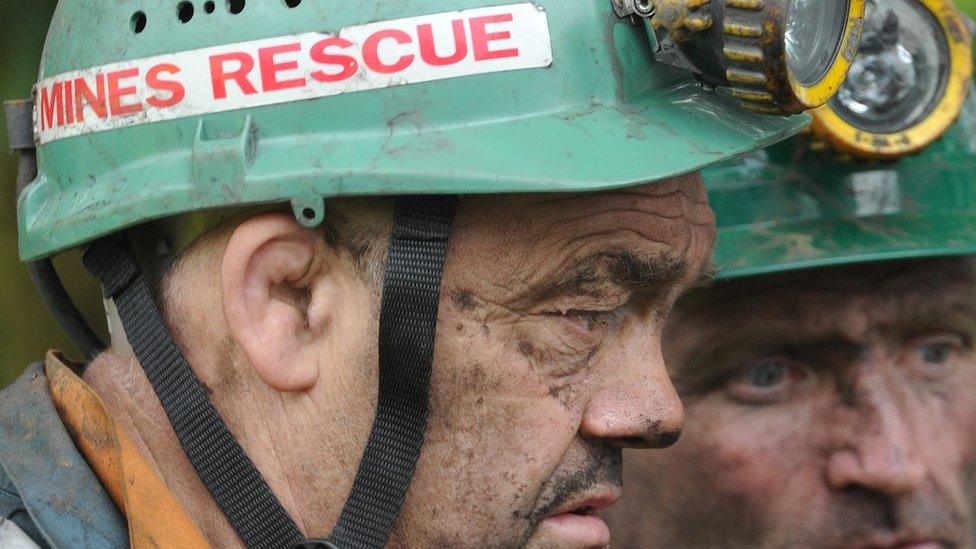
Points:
(155, 517)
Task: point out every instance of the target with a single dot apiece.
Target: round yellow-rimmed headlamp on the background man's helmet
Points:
(907, 84)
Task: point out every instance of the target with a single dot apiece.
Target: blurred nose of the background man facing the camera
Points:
(881, 453)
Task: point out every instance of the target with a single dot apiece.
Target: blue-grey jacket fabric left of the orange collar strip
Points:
(46, 486)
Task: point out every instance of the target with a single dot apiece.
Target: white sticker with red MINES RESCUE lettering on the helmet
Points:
(292, 68)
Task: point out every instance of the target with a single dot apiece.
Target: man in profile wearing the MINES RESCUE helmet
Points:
(302, 392)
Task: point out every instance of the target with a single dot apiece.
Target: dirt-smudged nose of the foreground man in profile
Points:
(640, 410)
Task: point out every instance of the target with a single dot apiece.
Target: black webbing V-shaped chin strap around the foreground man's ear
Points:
(408, 319)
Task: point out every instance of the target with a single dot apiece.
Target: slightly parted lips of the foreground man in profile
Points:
(576, 522)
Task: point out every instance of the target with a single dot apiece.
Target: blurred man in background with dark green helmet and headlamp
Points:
(829, 378)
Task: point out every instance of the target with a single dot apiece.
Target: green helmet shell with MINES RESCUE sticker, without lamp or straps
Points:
(168, 107)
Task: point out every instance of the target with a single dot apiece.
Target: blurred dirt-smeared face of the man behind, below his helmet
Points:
(832, 408)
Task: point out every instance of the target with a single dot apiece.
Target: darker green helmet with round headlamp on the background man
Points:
(838, 194)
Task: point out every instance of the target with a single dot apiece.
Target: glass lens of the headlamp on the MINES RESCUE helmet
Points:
(815, 31)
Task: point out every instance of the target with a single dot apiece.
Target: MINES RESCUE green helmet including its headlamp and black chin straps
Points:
(153, 111)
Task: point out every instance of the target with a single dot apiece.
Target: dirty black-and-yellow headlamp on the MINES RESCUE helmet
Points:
(777, 56)
